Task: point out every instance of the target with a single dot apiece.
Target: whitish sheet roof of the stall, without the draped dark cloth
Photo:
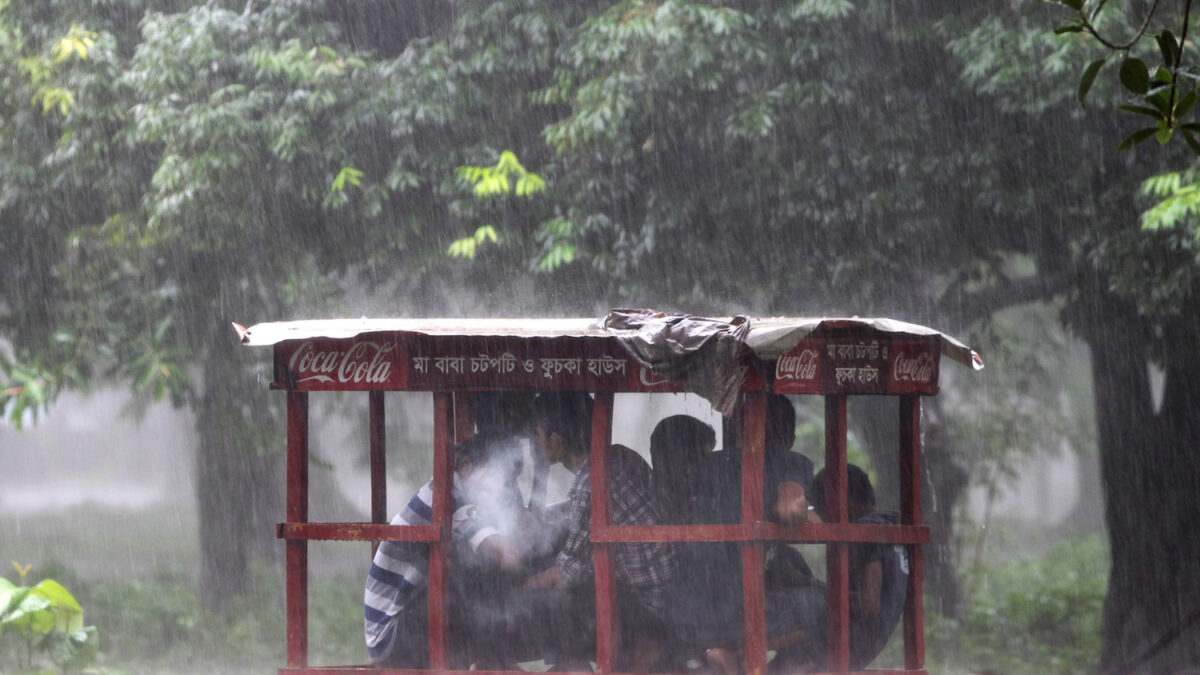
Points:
(769, 337)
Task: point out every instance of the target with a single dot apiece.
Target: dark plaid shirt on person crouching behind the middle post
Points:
(645, 568)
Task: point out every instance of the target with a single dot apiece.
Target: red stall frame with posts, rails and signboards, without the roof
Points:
(835, 363)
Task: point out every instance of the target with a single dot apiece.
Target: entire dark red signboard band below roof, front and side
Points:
(417, 362)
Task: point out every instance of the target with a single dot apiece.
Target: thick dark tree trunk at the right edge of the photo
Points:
(1150, 477)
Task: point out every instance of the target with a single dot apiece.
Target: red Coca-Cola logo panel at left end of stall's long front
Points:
(362, 363)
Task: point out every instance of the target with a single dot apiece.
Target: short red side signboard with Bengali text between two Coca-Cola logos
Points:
(884, 365)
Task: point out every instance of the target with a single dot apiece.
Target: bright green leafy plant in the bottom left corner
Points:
(50, 623)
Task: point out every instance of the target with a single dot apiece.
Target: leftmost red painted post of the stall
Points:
(298, 512)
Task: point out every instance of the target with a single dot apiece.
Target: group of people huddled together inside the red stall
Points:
(521, 582)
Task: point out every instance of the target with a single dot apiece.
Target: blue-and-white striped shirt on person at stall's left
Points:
(399, 571)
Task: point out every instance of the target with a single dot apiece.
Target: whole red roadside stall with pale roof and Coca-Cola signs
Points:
(733, 363)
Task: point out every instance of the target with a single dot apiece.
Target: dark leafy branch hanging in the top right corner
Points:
(1165, 92)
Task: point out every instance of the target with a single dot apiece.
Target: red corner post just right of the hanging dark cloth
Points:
(753, 586)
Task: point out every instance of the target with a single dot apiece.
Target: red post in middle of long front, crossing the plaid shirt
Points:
(608, 628)
